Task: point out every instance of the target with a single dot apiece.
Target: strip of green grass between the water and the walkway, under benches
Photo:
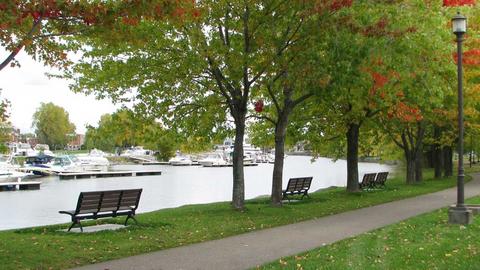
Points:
(47, 248)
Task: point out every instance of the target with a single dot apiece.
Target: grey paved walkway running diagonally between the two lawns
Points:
(256, 248)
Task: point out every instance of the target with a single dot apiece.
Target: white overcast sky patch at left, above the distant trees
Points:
(27, 86)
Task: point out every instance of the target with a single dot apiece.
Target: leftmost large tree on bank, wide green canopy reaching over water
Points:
(197, 74)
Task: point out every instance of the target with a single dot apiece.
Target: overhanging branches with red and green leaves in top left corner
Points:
(38, 25)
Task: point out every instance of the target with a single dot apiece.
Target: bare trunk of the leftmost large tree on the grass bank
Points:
(238, 195)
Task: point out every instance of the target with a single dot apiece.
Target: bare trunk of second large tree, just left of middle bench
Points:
(277, 179)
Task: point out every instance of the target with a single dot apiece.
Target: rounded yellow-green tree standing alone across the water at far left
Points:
(52, 125)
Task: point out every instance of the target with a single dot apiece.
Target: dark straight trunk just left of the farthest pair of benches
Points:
(352, 157)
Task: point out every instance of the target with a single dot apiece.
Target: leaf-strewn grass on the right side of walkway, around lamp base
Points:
(423, 242)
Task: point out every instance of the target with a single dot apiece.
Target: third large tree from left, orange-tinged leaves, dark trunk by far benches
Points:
(361, 64)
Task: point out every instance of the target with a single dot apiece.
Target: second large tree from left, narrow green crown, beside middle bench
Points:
(298, 74)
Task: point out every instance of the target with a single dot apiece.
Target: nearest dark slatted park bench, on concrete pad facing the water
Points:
(100, 204)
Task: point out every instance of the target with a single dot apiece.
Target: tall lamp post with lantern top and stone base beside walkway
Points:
(459, 213)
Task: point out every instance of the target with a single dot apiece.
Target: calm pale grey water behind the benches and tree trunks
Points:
(175, 187)
